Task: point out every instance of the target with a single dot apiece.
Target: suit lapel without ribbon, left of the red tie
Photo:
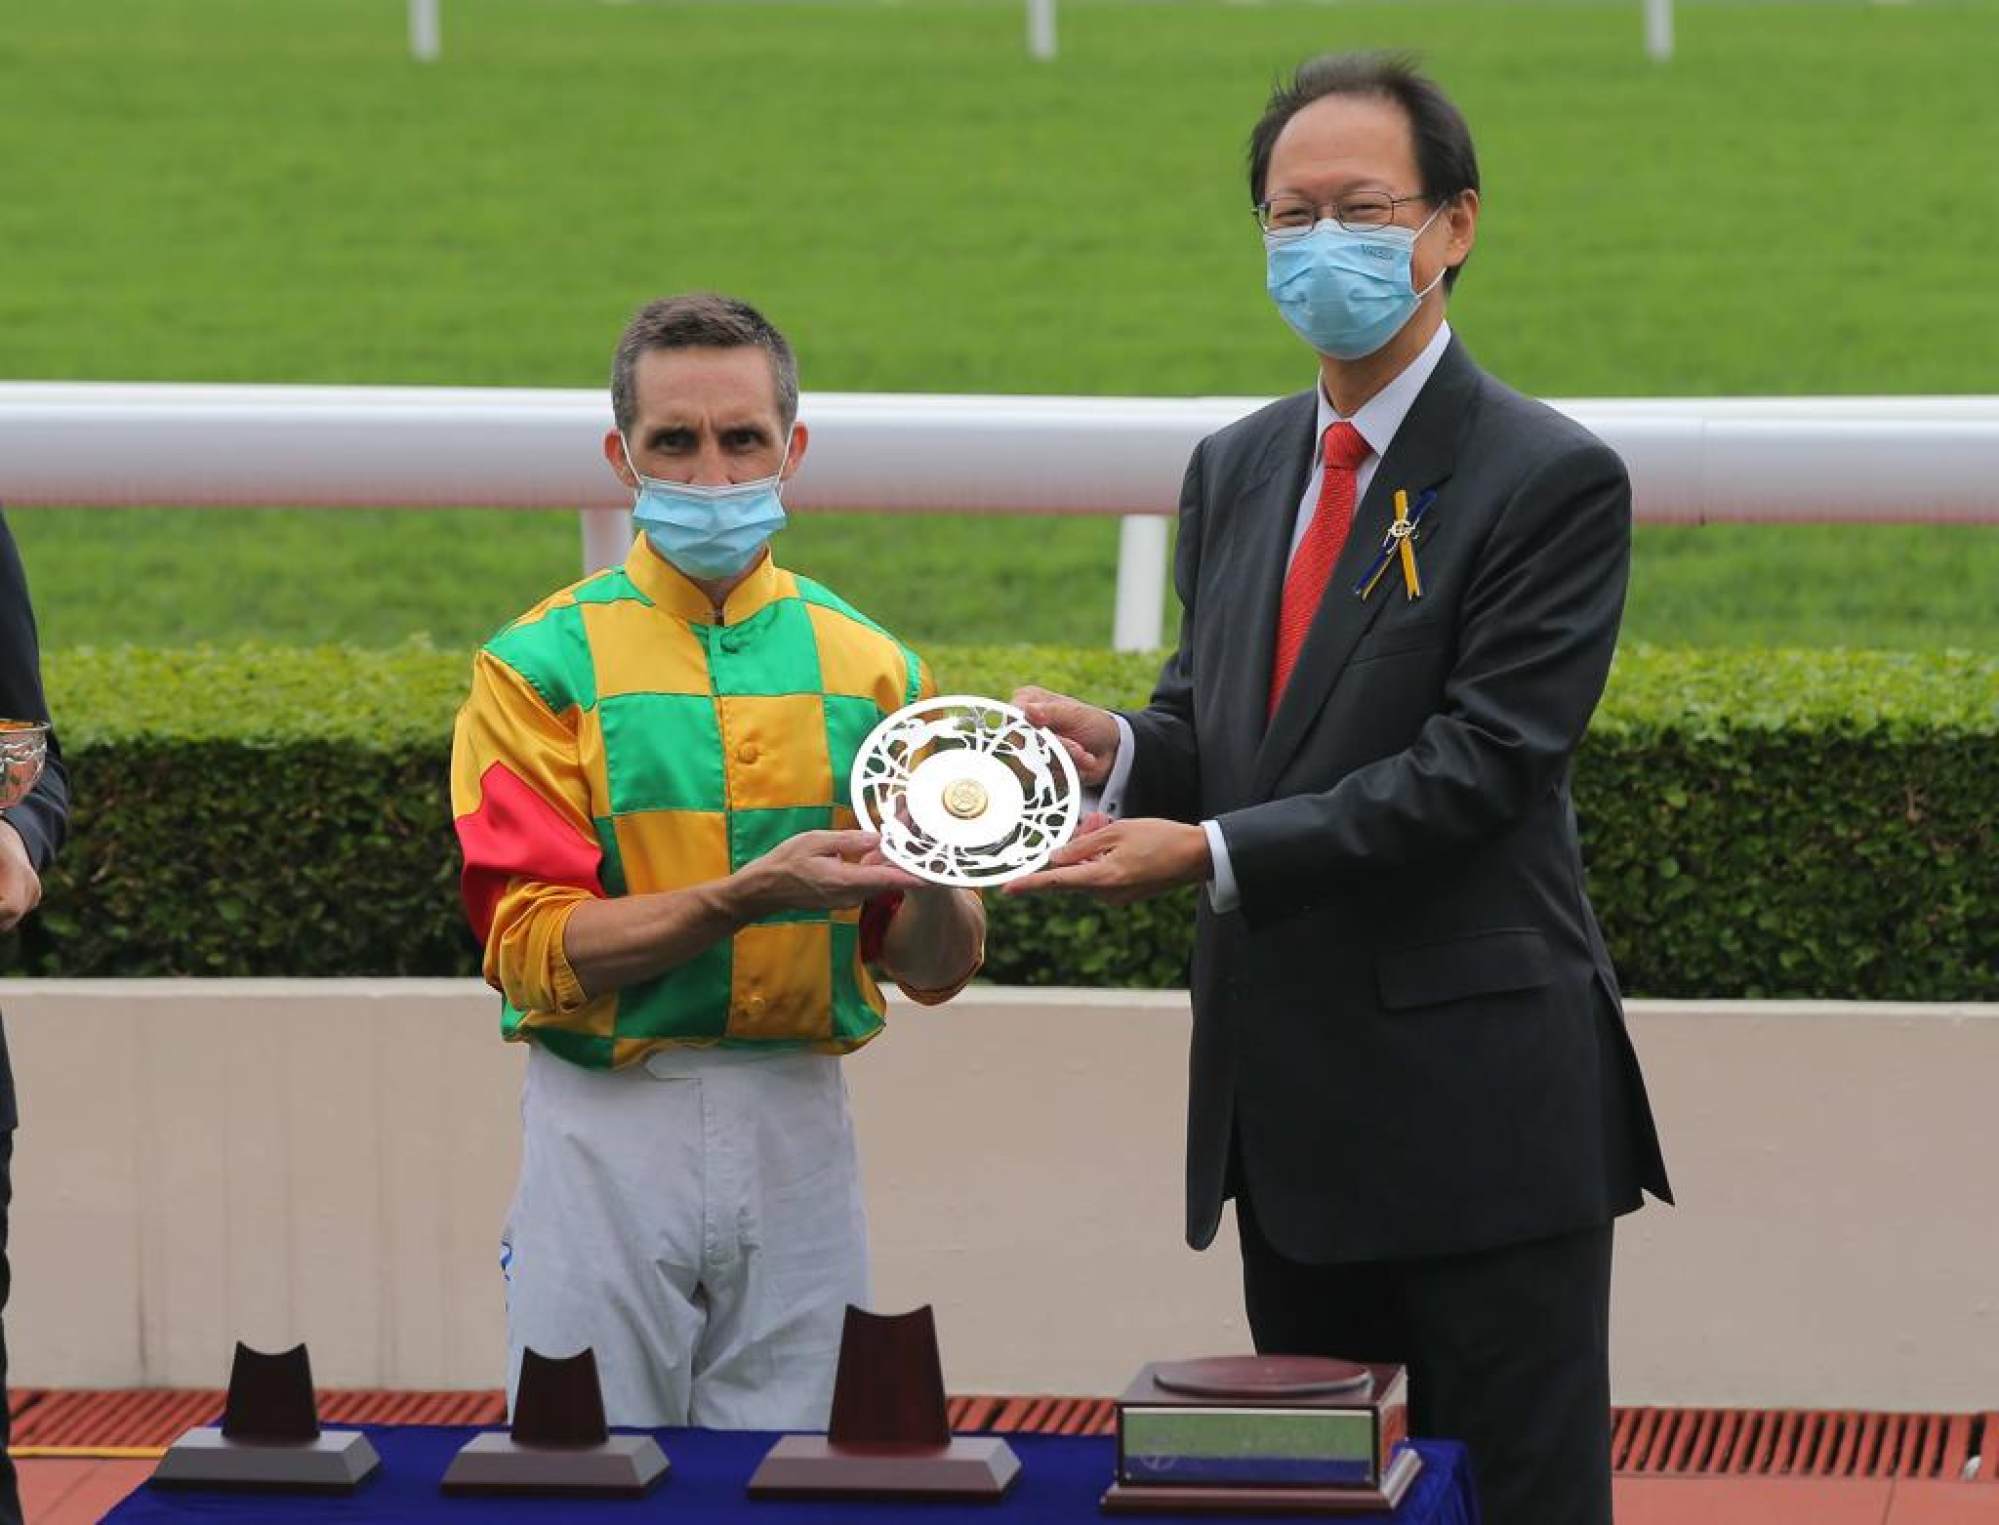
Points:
(1268, 511)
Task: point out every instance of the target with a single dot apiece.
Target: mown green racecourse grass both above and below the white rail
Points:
(241, 191)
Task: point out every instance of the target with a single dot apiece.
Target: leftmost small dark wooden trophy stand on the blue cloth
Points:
(269, 1440)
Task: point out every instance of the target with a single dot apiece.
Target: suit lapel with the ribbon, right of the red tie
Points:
(1420, 457)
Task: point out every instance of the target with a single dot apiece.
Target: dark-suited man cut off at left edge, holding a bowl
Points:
(29, 838)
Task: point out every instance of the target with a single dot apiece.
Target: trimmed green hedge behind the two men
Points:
(1756, 822)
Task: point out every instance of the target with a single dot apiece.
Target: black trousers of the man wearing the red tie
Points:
(1508, 1352)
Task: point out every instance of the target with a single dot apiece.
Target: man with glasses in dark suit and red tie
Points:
(1410, 1066)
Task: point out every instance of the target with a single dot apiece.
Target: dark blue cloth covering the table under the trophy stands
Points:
(1062, 1478)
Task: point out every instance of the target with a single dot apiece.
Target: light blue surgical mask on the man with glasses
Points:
(1346, 293)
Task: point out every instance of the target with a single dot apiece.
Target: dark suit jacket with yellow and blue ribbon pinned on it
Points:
(1410, 1026)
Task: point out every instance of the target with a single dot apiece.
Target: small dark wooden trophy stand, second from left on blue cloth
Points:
(559, 1444)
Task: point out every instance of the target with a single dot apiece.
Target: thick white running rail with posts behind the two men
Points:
(1694, 461)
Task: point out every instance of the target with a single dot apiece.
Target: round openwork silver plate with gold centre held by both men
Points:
(965, 790)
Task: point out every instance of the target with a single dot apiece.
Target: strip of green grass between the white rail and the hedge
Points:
(377, 579)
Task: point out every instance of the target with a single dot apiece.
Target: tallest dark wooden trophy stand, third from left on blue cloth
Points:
(891, 1436)
